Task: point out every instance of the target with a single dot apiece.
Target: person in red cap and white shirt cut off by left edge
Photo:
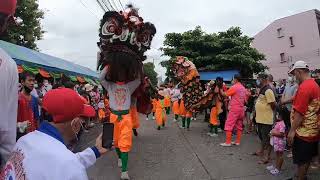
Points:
(8, 87)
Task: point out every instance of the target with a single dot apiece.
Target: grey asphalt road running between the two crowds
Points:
(177, 154)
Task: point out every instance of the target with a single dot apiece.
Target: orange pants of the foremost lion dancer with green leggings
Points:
(122, 134)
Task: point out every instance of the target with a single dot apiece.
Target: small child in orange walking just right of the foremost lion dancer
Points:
(160, 112)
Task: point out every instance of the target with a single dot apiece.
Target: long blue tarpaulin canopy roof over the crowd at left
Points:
(30, 57)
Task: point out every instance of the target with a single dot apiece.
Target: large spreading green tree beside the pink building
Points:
(212, 52)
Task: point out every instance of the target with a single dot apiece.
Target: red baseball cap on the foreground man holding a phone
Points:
(64, 105)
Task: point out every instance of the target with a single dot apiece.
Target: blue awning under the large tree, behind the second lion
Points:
(212, 75)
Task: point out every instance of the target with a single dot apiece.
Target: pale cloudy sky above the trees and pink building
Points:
(72, 25)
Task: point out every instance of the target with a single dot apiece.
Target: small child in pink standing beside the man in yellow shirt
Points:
(278, 141)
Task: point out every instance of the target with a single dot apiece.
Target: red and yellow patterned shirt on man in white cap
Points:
(307, 103)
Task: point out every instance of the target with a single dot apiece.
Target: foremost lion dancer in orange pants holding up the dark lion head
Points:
(124, 38)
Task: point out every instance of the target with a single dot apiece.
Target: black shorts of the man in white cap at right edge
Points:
(303, 151)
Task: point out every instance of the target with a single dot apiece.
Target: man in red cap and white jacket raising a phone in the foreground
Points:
(43, 154)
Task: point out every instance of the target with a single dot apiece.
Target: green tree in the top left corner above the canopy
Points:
(29, 30)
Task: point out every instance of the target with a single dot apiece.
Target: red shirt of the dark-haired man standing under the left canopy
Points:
(25, 112)
